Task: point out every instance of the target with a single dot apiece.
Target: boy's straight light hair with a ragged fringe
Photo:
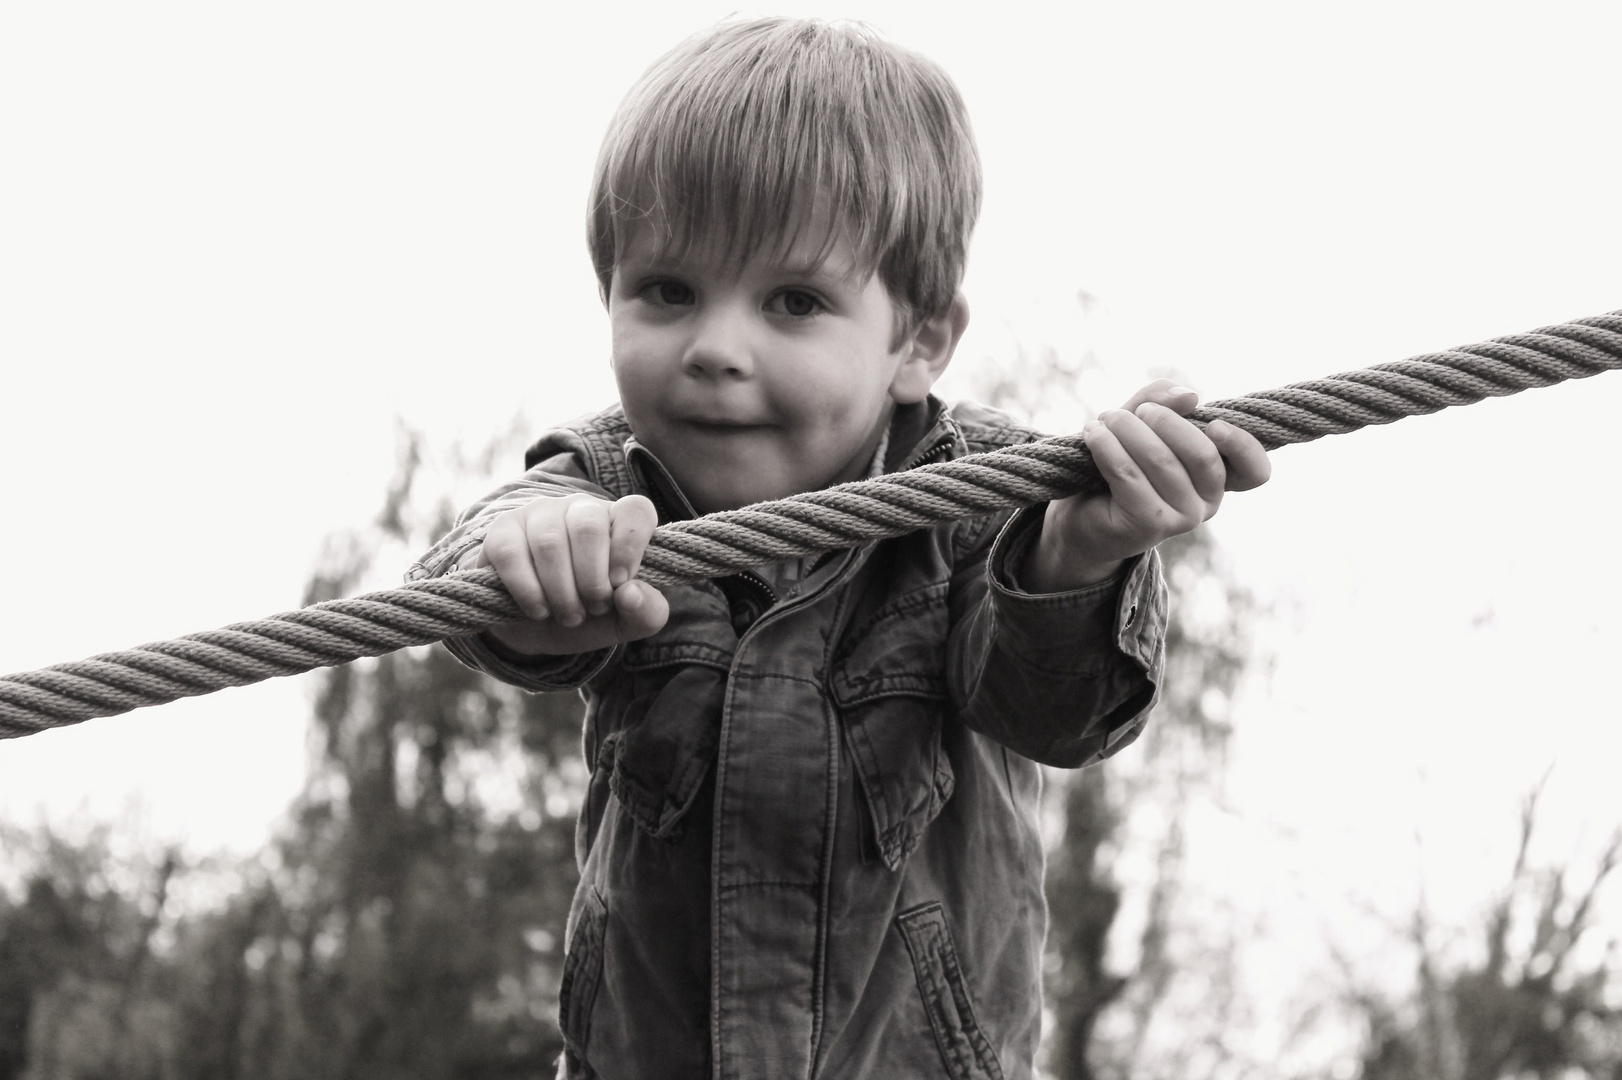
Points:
(755, 132)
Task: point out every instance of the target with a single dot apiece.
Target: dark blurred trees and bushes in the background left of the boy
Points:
(408, 924)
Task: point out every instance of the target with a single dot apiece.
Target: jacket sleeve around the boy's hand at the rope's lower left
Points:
(556, 476)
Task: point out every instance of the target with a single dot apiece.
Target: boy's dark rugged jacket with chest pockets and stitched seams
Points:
(810, 842)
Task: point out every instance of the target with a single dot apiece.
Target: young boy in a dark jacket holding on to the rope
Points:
(810, 844)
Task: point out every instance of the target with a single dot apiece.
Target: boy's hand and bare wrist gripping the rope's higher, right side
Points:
(1165, 478)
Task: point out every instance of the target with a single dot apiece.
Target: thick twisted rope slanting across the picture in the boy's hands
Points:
(818, 521)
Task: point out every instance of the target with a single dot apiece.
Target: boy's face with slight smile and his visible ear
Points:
(763, 380)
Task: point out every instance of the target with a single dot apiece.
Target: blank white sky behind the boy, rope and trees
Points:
(239, 242)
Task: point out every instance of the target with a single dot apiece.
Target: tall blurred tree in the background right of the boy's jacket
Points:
(1115, 961)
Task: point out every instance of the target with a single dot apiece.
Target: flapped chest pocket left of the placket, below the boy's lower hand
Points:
(661, 716)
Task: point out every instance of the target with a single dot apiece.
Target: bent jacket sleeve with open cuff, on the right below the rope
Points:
(1065, 679)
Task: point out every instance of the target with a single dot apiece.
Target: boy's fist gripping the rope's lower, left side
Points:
(570, 564)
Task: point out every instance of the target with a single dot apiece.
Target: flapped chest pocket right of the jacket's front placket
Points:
(891, 692)
